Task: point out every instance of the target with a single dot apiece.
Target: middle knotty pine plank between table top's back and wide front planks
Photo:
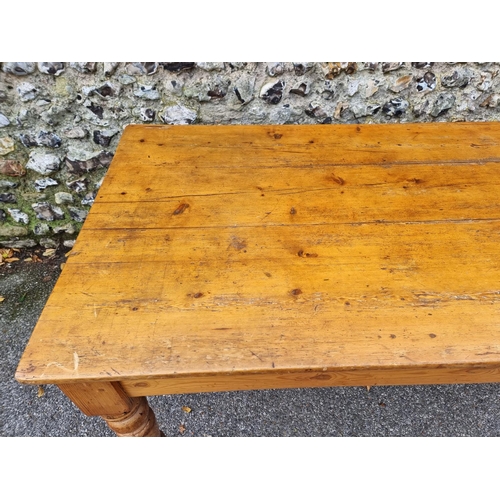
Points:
(421, 194)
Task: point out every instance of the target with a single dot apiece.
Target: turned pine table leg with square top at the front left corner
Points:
(125, 415)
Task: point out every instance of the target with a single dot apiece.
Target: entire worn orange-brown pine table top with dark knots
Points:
(233, 250)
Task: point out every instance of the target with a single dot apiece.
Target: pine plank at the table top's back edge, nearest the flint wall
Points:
(314, 145)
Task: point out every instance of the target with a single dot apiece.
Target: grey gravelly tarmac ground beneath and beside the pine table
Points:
(438, 410)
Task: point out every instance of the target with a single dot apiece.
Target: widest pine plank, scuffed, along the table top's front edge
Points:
(368, 298)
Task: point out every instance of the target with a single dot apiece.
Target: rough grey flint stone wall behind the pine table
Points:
(60, 122)
